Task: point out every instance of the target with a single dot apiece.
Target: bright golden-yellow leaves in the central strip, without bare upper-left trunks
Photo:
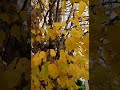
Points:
(63, 53)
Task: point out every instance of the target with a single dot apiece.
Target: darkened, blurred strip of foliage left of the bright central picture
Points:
(15, 44)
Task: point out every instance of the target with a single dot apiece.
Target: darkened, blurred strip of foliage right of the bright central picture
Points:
(104, 45)
